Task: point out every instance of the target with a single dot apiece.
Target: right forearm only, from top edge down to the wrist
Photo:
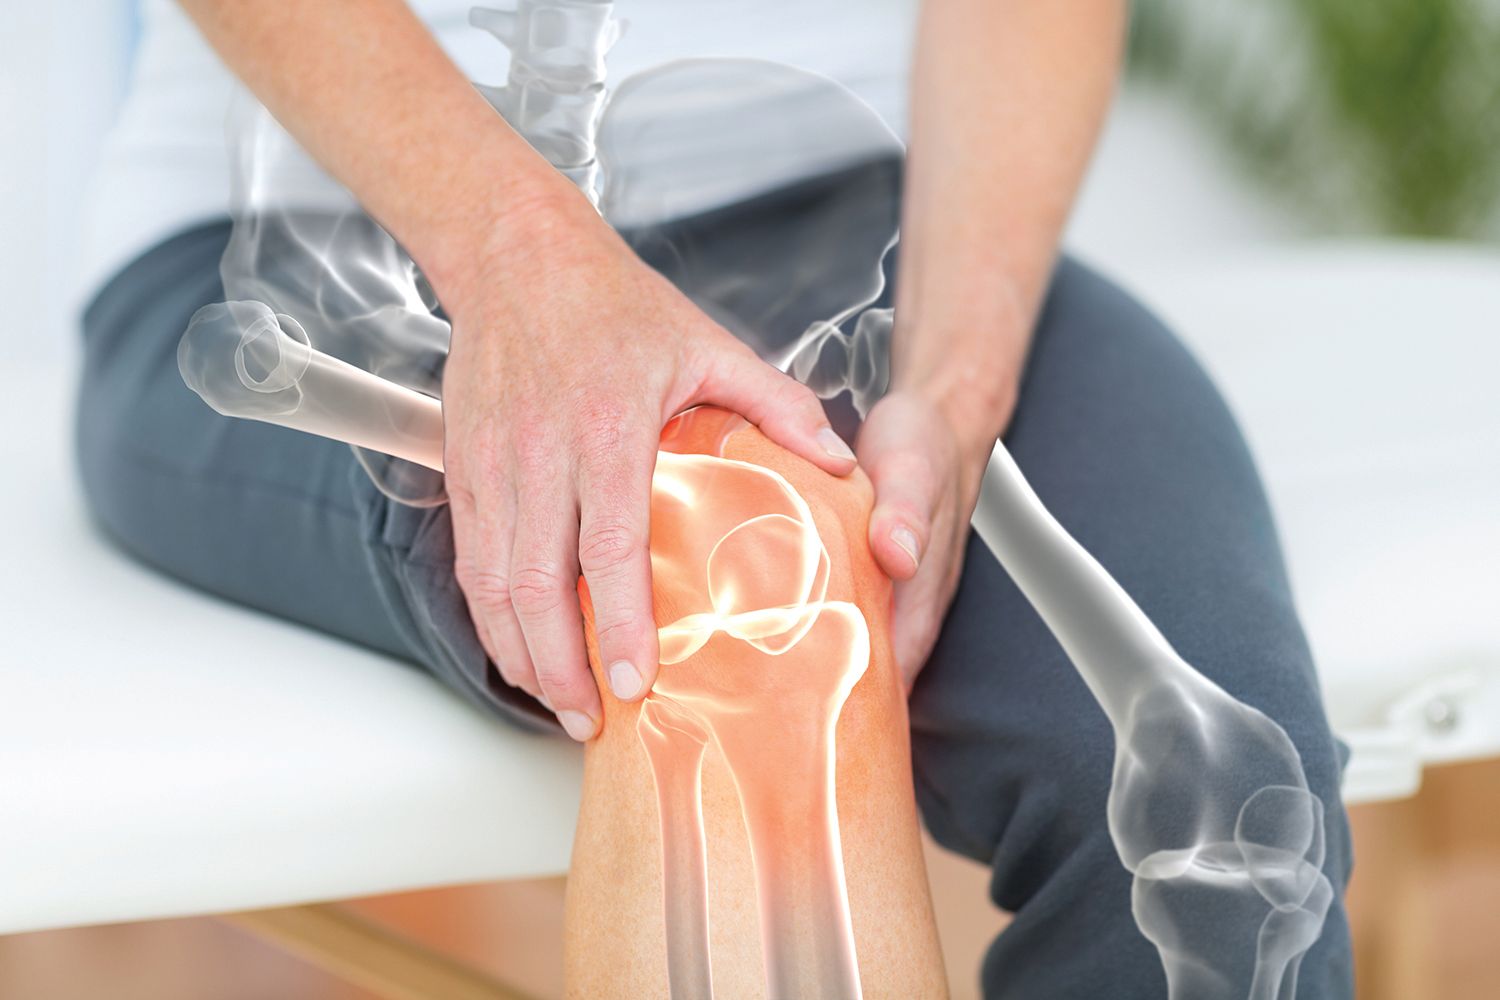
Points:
(1007, 103)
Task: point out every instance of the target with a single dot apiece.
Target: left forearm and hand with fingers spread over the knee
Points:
(548, 451)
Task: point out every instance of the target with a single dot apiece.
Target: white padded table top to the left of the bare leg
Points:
(166, 753)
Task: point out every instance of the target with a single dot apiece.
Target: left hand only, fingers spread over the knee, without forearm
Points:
(569, 356)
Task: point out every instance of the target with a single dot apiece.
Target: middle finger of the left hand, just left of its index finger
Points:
(544, 591)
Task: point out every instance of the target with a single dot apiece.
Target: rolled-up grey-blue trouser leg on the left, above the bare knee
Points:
(275, 519)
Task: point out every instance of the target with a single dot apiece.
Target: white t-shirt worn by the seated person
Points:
(166, 167)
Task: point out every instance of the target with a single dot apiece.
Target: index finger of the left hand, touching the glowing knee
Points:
(614, 533)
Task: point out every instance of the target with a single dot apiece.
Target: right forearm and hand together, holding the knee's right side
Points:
(1007, 104)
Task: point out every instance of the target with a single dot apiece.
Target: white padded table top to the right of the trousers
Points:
(1366, 377)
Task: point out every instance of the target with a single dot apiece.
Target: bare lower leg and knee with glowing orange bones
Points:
(779, 710)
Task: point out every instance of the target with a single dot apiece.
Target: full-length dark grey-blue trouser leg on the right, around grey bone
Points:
(1127, 443)
